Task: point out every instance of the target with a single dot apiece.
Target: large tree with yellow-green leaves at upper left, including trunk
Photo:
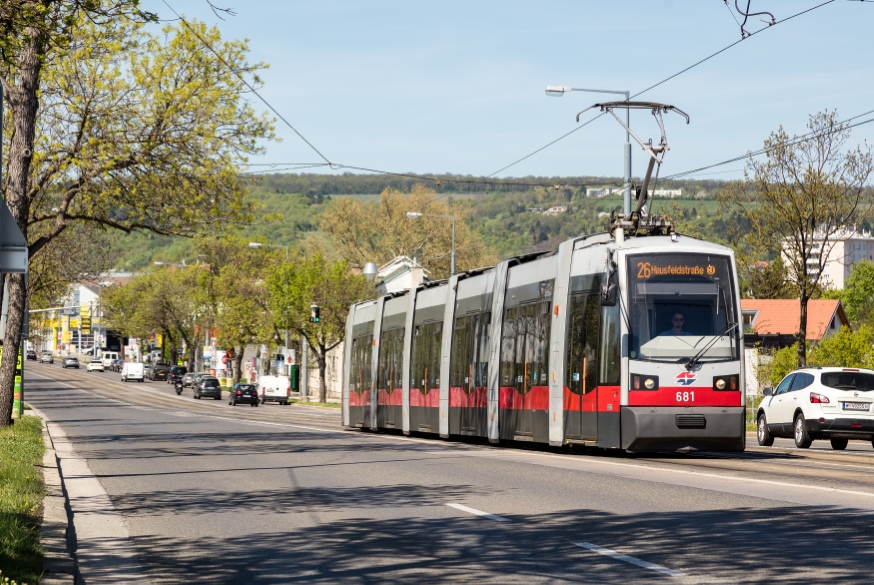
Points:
(120, 128)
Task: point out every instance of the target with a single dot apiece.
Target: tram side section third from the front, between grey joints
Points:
(469, 359)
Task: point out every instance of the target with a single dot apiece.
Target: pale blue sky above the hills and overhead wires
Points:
(458, 86)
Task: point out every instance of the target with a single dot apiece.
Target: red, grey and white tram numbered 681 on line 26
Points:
(627, 339)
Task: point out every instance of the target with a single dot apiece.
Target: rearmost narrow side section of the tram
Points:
(360, 366)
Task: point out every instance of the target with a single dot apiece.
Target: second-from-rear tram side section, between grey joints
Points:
(389, 384)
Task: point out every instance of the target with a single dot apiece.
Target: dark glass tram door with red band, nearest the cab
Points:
(581, 403)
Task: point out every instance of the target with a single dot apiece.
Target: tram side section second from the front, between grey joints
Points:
(524, 390)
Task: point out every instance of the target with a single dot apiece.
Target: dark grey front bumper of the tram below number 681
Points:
(693, 428)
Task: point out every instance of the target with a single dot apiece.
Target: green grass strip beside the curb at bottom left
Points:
(21, 493)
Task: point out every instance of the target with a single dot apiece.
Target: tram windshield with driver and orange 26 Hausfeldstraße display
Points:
(680, 306)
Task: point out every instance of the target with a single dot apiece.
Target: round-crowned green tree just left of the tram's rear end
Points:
(295, 286)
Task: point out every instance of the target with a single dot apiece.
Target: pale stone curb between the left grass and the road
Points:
(59, 565)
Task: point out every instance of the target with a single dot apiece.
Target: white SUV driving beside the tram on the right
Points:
(819, 403)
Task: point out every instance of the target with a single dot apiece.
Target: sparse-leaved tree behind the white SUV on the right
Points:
(800, 201)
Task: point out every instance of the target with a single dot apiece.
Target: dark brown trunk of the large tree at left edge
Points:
(24, 104)
